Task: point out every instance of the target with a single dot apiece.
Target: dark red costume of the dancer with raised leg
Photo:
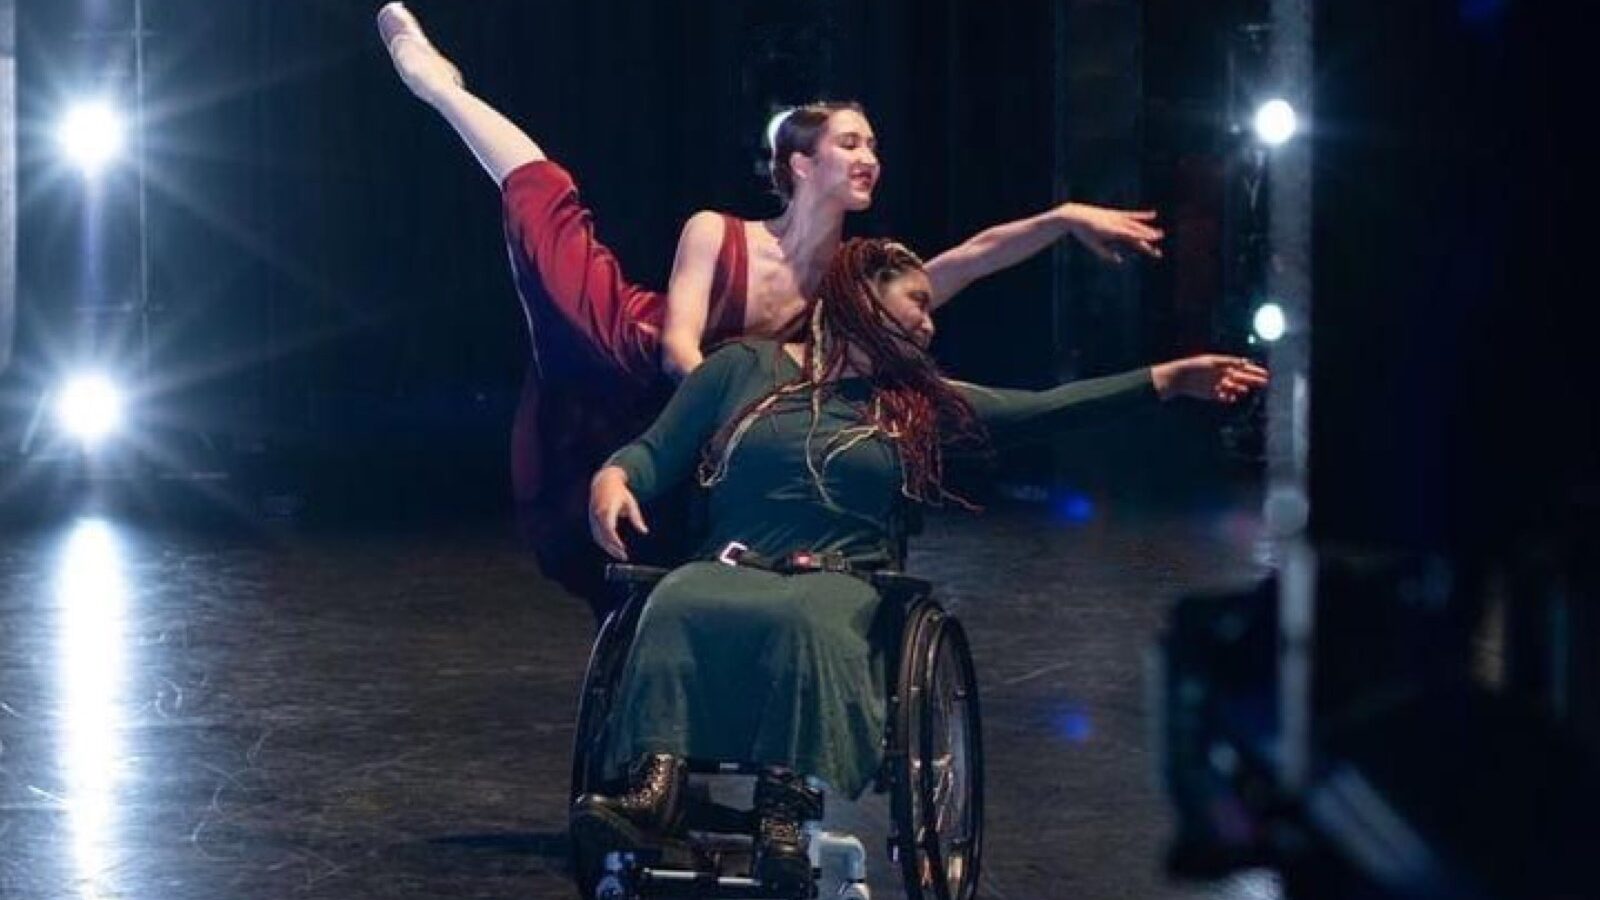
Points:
(596, 377)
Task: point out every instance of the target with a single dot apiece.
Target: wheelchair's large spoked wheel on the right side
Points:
(938, 785)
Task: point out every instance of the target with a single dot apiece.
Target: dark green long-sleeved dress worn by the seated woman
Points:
(748, 665)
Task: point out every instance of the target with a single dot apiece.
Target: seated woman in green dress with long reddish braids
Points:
(815, 448)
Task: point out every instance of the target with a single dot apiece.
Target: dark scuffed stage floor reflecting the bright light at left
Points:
(388, 715)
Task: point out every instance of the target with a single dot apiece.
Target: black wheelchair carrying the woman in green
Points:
(932, 766)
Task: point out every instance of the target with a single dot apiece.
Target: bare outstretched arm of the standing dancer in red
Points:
(1108, 233)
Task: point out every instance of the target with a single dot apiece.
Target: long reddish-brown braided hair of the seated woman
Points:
(911, 404)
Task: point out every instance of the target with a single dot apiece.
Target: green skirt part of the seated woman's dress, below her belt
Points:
(754, 667)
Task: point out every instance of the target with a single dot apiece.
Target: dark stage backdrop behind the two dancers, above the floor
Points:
(326, 259)
